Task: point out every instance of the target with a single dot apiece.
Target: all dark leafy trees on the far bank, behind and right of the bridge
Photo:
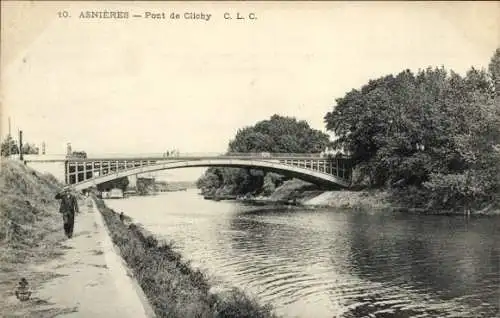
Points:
(431, 140)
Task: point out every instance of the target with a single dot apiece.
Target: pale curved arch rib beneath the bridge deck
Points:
(305, 174)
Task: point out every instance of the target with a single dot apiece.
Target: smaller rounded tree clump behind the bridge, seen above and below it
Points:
(279, 134)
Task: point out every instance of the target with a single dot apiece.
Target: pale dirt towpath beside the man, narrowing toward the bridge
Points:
(92, 280)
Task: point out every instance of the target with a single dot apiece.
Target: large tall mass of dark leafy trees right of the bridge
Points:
(435, 132)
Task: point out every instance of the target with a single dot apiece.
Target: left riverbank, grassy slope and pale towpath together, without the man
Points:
(79, 277)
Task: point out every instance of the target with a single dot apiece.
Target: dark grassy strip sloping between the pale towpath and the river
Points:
(172, 287)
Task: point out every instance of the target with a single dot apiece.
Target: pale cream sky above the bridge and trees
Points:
(146, 86)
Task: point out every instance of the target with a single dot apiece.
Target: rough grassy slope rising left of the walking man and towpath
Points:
(30, 234)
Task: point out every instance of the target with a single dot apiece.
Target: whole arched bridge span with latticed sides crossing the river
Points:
(326, 171)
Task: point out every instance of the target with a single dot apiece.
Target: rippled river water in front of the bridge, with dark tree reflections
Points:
(331, 263)
